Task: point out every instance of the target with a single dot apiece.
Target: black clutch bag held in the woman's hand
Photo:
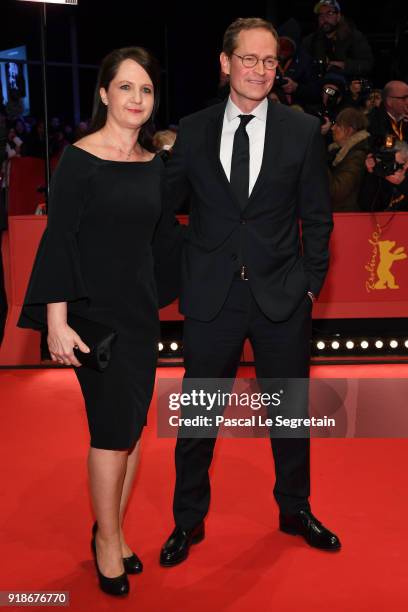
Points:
(98, 337)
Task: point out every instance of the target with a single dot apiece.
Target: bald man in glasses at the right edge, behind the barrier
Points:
(391, 117)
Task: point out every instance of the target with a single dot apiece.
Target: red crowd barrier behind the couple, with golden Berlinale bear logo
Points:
(368, 276)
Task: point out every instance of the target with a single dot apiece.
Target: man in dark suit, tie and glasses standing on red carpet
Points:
(254, 171)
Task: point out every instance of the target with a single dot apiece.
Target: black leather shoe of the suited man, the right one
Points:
(305, 524)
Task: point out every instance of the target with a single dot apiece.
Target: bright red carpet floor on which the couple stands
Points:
(359, 489)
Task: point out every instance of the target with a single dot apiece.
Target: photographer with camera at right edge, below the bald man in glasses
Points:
(385, 186)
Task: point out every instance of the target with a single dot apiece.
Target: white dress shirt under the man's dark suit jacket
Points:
(256, 133)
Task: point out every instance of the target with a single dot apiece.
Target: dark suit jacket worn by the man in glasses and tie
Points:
(292, 187)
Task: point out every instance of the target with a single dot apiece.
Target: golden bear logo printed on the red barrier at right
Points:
(383, 256)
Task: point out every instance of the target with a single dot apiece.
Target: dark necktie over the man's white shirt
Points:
(239, 178)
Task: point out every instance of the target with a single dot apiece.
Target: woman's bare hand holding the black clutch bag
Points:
(62, 339)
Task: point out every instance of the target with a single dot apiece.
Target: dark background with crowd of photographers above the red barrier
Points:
(346, 63)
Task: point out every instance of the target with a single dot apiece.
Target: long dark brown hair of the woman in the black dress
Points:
(107, 72)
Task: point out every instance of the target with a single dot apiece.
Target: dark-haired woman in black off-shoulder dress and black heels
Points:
(96, 260)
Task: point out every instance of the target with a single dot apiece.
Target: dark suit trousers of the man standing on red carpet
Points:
(212, 349)
